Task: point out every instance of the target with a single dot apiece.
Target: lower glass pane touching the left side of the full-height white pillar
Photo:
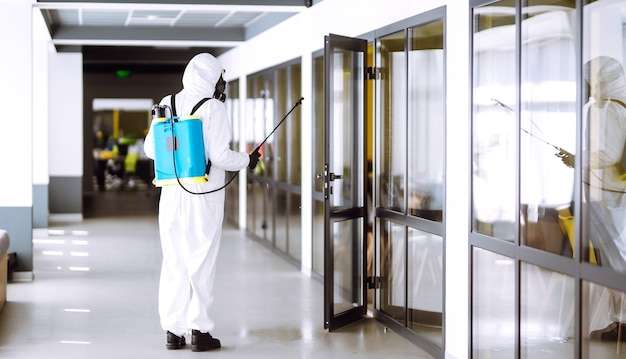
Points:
(425, 284)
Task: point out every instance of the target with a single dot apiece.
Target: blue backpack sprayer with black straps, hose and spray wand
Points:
(179, 147)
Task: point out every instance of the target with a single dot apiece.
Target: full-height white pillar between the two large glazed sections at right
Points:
(457, 179)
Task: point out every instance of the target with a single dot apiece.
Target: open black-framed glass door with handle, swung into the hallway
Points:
(344, 180)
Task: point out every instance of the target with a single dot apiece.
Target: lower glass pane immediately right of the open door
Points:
(393, 269)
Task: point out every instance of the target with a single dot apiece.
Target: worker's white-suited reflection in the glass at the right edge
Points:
(604, 181)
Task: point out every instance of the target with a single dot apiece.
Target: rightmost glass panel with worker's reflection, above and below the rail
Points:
(603, 175)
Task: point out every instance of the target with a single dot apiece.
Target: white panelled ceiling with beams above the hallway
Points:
(167, 30)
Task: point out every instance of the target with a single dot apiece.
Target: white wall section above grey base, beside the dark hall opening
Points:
(65, 111)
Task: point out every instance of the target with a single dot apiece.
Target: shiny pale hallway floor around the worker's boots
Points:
(95, 296)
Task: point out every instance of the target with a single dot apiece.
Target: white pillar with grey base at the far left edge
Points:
(16, 159)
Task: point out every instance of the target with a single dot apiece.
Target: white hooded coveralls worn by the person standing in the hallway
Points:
(190, 225)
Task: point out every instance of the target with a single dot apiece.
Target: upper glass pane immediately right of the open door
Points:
(393, 126)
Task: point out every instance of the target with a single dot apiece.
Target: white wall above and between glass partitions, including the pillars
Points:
(302, 35)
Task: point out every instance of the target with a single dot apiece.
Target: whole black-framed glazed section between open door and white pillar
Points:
(410, 171)
